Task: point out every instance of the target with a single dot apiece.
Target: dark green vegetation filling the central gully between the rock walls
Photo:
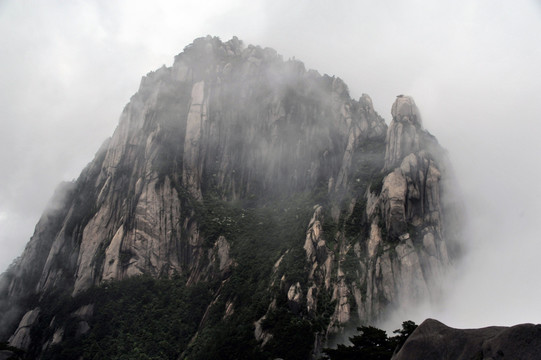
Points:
(258, 237)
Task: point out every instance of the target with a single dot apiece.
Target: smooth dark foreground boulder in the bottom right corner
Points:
(433, 340)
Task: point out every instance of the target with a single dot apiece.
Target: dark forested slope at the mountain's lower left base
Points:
(137, 318)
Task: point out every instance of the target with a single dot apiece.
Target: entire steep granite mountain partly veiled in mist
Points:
(243, 208)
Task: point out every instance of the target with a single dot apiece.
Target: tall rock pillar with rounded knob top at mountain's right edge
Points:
(410, 212)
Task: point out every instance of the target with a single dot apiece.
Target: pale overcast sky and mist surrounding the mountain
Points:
(473, 67)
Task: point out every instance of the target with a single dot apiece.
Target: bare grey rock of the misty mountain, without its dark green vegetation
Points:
(238, 123)
